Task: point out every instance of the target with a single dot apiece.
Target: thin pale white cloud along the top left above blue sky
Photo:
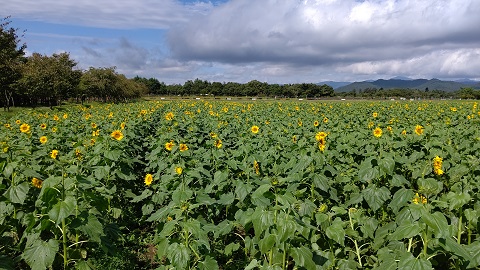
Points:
(118, 14)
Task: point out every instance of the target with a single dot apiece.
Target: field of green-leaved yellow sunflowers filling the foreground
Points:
(198, 184)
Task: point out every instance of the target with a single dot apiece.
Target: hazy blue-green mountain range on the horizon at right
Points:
(421, 84)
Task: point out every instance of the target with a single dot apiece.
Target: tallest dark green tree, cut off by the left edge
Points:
(11, 55)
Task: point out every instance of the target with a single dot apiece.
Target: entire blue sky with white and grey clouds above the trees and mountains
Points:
(275, 41)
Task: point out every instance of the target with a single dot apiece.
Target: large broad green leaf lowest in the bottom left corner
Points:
(40, 255)
